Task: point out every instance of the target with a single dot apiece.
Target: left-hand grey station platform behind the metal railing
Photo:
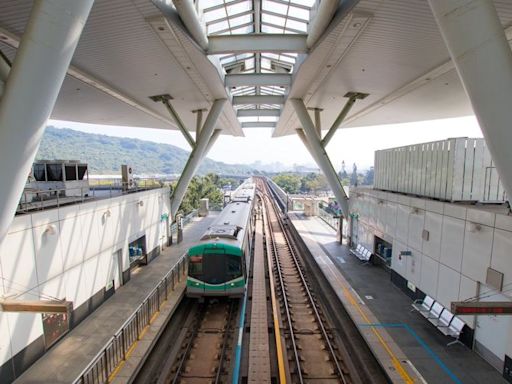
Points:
(66, 360)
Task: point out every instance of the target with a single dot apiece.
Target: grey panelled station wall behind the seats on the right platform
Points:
(463, 241)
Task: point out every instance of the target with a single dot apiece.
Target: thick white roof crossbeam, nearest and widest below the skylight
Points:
(257, 42)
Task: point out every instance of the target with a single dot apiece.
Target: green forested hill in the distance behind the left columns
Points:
(105, 154)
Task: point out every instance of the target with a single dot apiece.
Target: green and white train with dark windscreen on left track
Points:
(218, 263)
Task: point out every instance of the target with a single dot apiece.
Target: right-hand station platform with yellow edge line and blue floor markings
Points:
(383, 314)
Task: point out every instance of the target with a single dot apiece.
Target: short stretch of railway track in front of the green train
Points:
(206, 349)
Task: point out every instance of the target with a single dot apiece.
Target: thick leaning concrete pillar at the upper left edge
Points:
(35, 79)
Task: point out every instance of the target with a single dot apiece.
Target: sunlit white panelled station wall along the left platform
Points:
(70, 253)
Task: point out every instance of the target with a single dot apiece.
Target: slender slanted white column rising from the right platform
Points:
(320, 156)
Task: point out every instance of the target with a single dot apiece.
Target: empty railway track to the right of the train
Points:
(312, 354)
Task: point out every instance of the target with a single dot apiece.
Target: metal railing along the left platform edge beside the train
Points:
(100, 369)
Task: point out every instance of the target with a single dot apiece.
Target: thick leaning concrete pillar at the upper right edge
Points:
(479, 49)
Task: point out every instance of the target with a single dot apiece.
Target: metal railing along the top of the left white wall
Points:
(40, 199)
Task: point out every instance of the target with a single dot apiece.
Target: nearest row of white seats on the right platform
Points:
(445, 321)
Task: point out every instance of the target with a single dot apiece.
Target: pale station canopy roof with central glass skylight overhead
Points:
(131, 50)
